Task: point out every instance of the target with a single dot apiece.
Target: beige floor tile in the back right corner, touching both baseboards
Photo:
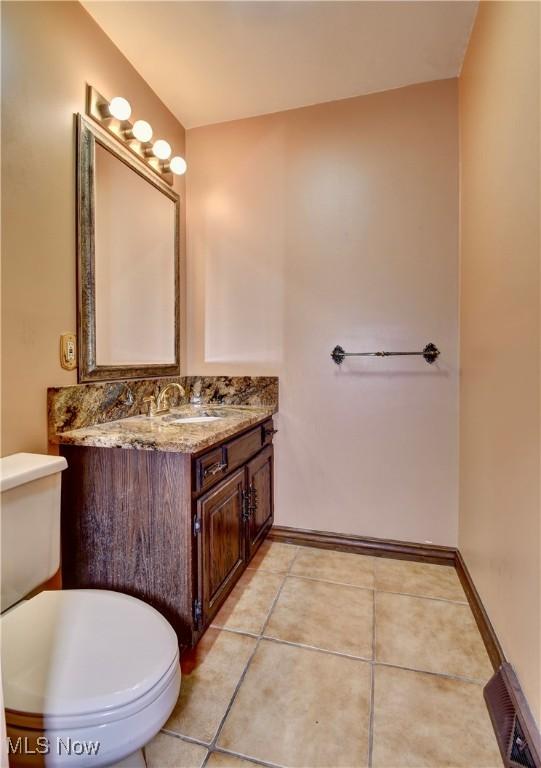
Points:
(418, 579)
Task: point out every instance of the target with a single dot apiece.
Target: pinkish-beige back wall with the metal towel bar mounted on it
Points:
(338, 224)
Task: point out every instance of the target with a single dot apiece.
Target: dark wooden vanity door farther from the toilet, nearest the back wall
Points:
(261, 497)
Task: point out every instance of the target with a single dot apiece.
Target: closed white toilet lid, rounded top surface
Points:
(81, 651)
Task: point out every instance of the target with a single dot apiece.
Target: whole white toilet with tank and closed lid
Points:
(89, 676)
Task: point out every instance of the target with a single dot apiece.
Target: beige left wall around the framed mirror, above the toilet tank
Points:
(49, 52)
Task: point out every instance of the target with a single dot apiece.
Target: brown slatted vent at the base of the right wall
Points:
(516, 731)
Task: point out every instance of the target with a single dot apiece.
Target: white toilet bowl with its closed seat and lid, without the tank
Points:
(91, 665)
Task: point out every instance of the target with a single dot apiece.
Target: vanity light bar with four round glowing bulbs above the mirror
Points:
(113, 117)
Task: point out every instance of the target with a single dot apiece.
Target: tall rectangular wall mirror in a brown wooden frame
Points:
(128, 271)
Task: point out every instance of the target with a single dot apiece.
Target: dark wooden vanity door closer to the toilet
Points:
(223, 554)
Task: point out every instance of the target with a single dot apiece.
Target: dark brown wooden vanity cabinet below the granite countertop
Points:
(176, 530)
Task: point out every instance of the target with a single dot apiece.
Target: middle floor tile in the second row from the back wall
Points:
(334, 617)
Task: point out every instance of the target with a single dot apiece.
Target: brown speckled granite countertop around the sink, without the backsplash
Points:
(158, 433)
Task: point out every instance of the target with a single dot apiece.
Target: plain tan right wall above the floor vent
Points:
(500, 381)
